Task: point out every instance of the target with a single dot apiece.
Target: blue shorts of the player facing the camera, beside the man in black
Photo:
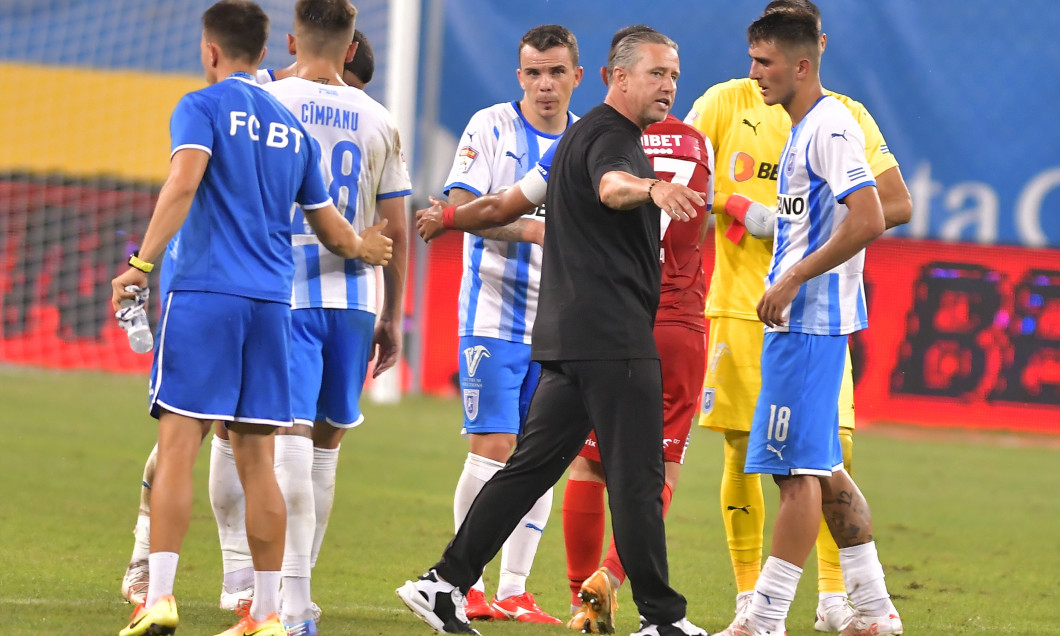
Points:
(498, 380)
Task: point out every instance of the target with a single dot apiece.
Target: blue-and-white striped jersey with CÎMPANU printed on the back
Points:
(362, 163)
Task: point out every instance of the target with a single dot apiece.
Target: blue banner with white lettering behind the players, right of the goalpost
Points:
(964, 91)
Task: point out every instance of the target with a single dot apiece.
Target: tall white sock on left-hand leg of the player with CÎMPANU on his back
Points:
(294, 472)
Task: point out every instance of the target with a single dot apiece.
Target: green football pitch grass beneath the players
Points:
(968, 525)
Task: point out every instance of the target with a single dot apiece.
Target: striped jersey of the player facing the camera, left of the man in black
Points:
(499, 292)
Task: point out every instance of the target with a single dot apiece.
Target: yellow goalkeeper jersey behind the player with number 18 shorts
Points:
(749, 137)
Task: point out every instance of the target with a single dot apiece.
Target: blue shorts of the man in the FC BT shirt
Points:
(223, 358)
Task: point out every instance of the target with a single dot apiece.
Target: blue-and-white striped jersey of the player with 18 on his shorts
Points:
(823, 163)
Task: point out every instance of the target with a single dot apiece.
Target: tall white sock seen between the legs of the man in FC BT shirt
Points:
(229, 509)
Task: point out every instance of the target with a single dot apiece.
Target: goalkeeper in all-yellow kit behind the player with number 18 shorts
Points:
(749, 138)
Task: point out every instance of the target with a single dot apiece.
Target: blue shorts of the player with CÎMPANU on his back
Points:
(330, 350)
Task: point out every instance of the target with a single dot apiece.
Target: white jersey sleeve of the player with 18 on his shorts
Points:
(839, 155)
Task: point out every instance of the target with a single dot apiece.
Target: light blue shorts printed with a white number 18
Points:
(797, 426)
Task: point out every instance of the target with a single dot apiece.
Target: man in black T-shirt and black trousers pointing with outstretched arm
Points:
(593, 335)
